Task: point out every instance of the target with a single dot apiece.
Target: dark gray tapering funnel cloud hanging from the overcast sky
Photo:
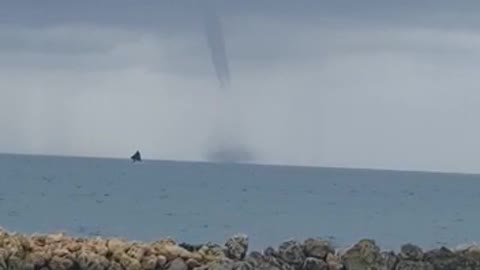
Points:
(216, 43)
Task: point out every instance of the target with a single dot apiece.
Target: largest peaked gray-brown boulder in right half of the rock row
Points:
(365, 255)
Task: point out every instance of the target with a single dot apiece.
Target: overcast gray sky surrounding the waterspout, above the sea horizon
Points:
(377, 84)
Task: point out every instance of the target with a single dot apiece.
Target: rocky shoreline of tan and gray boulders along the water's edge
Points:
(61, 252)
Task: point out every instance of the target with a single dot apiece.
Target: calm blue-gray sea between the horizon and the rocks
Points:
(200, 202)
